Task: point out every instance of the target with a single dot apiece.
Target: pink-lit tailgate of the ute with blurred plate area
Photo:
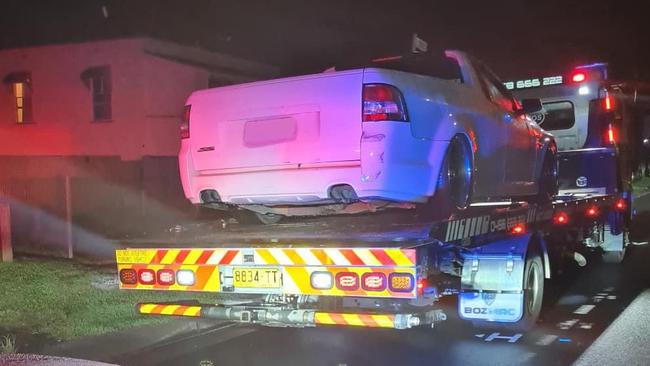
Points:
(301, 120)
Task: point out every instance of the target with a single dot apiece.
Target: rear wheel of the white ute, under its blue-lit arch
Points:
(454, 183)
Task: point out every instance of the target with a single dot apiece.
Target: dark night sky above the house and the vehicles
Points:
(518, 38)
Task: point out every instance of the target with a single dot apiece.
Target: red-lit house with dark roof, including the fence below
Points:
(104, 114)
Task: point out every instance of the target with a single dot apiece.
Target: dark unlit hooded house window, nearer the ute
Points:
(98, 80)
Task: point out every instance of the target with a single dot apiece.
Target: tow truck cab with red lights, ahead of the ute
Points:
(585, 112)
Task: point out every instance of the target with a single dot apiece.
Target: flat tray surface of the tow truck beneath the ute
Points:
(384, 229)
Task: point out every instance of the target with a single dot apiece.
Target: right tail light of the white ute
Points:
(383, 102)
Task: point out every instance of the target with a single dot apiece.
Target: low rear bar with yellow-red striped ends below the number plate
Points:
(292, 317)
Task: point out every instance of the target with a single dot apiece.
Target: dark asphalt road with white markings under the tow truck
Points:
(579, 306)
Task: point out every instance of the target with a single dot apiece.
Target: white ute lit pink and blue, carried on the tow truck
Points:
(441, 132)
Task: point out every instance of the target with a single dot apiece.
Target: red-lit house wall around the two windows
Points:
(147, 98)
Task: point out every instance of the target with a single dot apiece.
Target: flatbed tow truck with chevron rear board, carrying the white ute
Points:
(391, 270)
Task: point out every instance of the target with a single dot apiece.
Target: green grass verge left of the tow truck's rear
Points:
(55, 298)
